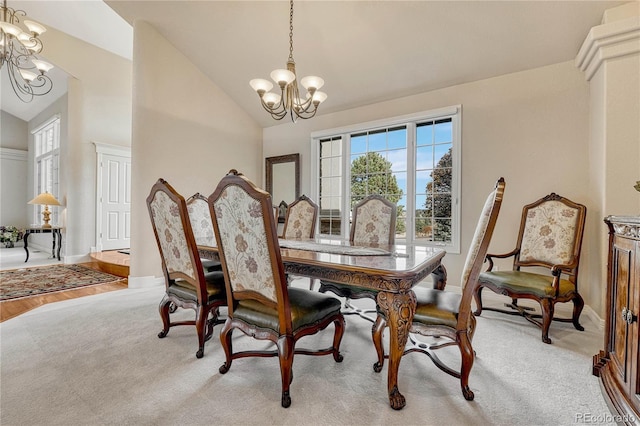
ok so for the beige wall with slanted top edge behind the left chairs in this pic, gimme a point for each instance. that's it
(185, 130)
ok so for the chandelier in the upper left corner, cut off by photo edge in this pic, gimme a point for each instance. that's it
(18, 49)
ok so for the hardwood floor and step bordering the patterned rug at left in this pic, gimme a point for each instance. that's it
(110, 262)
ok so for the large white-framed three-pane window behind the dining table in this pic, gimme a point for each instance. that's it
(413, 161)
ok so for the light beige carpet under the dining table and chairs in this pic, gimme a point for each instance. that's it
(97, 360)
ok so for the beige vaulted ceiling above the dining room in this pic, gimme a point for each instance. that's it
(366, 51)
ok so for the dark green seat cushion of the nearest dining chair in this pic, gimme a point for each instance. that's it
(307, 307)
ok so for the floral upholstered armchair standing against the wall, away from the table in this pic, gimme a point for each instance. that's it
(550, 237)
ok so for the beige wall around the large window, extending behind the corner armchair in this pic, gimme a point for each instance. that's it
(530, 127)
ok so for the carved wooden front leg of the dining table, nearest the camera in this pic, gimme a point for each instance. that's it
(399, 309)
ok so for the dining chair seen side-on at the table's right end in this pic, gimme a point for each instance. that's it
(446, 315)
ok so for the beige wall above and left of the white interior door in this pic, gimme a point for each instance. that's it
(98, 109)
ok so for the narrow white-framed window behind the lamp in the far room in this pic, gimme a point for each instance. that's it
(46, 161)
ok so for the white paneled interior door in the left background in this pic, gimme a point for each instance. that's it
(114, 201)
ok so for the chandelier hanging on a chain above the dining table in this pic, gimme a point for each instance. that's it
(289, 101)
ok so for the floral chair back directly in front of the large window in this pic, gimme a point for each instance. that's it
(374, 222)
